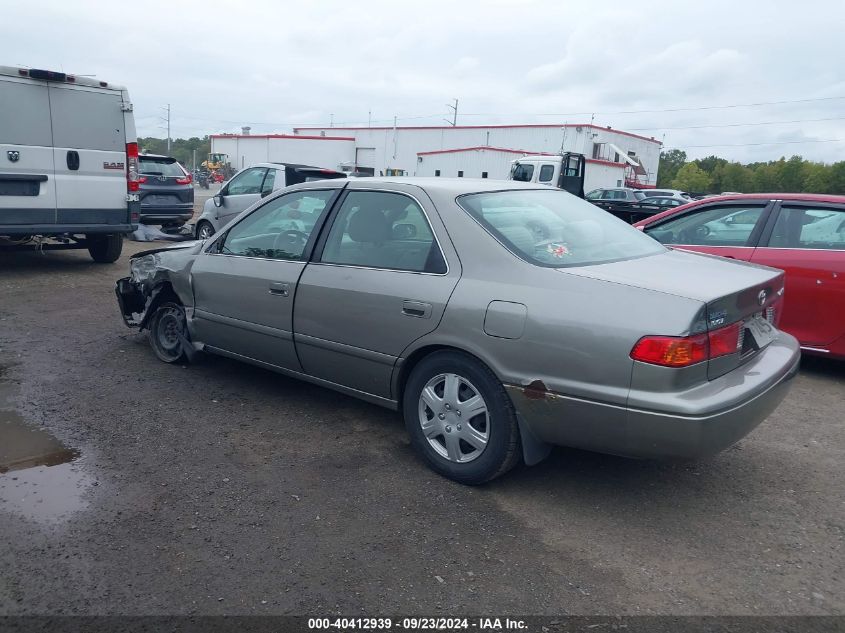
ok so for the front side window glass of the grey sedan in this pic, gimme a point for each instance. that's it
(279, 229)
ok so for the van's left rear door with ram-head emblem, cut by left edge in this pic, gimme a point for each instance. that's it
(27, 177)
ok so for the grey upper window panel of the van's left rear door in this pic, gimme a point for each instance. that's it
(24, 114)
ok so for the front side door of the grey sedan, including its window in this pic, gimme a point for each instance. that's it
(244, 285)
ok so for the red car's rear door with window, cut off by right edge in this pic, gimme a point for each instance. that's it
(807, 241)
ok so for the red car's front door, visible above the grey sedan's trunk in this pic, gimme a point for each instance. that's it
(727, 229)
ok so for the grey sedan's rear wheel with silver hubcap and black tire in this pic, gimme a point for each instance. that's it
(446, 428)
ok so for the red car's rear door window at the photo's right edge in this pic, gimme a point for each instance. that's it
(798, 227)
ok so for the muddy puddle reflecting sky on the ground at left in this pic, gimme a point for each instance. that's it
(39, 477)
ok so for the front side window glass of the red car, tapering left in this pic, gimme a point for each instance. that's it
(713, 226)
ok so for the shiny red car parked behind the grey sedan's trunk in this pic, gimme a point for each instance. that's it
(802, 234)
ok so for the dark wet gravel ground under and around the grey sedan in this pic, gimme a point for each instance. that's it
(222, 488)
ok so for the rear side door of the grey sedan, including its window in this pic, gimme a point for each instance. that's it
(378, 282)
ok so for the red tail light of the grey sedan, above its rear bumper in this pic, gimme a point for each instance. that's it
(683, 351)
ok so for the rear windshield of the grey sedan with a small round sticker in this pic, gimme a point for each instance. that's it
(556, 229)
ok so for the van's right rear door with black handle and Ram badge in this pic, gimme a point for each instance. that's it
(89, 139)
